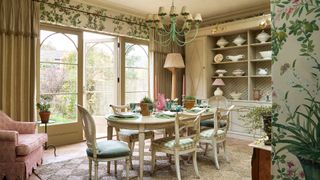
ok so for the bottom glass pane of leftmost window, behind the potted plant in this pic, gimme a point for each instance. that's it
(63, 109)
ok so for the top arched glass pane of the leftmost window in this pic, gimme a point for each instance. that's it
(59, 48)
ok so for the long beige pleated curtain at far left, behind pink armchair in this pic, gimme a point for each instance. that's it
(19, 27)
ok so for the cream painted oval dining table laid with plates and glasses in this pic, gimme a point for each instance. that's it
(142, 124)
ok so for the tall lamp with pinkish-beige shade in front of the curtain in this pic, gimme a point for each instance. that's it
(174, 61)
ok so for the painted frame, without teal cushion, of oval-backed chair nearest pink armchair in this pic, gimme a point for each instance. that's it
(90, 134)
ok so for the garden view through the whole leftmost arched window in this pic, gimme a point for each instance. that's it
(58, 74)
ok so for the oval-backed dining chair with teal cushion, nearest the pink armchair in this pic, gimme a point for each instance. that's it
(103, 151)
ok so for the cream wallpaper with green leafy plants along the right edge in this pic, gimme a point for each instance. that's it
(296, 89)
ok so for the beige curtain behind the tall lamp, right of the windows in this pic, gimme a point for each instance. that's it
(162, 76)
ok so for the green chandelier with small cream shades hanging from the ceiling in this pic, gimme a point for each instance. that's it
(171, 32)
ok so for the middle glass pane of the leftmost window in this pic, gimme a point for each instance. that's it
(58, 78)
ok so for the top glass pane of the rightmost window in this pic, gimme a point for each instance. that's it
(136, 55)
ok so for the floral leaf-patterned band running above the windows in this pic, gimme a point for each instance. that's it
(70, 13)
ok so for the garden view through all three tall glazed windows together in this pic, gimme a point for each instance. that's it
(60, 76)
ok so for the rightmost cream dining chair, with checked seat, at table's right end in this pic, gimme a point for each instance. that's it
(217, 135)
